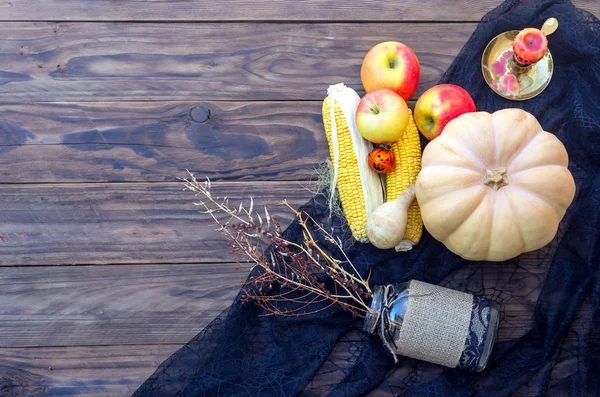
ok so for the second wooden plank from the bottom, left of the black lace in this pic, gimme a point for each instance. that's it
(105, 305)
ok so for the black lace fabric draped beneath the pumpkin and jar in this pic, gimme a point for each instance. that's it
(549, 336)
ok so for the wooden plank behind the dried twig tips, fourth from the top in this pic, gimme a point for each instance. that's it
(123, 223)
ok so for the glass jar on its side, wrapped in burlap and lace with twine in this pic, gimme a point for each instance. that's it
(433, 323)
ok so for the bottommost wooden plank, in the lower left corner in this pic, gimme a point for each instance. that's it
(79, 371)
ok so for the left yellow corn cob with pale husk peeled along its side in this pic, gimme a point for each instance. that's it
(359, 188)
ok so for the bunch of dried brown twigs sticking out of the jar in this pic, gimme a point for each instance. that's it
(294, 278)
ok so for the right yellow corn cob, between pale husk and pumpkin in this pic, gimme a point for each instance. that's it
(407, 151)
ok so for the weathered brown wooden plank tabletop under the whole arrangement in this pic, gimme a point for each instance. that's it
(106, 268)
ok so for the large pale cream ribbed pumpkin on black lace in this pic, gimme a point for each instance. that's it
(494, 185)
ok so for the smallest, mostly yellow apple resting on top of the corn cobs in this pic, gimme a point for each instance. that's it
(382, 116)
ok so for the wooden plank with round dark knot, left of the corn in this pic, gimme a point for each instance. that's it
(158, 141)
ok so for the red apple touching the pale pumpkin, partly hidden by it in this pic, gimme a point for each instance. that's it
(440, 104)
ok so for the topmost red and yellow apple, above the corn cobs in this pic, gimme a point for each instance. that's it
(391, 65)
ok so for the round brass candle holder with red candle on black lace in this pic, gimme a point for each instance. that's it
(517, 65)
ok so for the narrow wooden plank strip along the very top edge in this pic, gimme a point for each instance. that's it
(203, 10)
